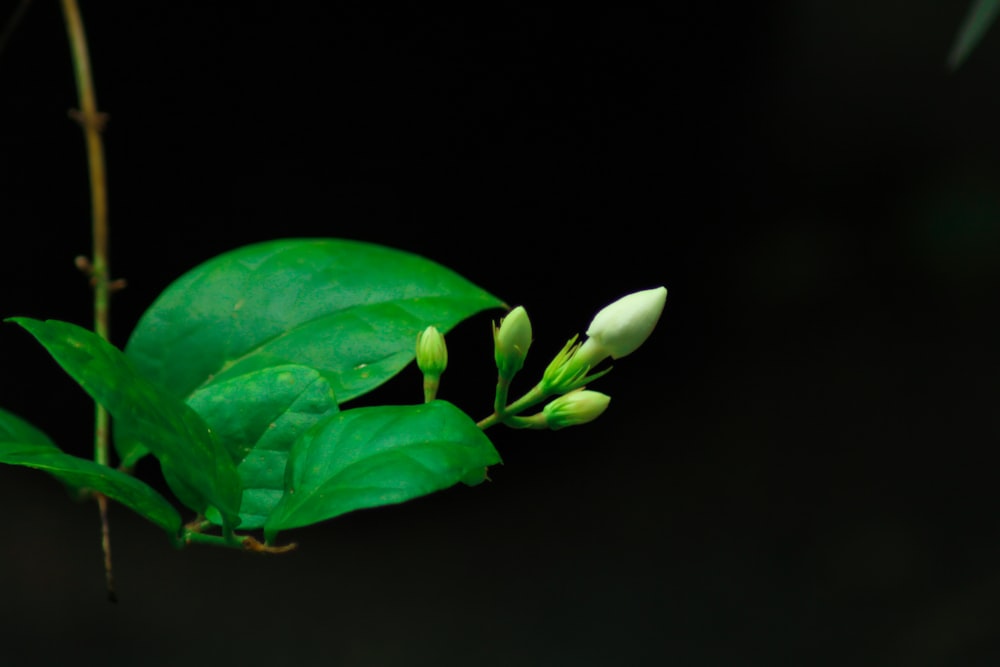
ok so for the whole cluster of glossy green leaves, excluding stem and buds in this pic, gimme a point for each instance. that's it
(234, 380)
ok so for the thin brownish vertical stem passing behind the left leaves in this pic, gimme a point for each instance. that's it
(92, 123)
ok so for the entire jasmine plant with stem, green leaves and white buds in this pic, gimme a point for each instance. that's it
(235, 380)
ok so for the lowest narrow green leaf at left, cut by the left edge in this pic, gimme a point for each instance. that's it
(84, 474)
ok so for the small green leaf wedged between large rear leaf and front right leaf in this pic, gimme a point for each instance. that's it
(257, 417)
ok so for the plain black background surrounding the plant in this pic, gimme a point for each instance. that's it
(798, 468)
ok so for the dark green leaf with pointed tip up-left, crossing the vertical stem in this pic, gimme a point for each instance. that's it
(196, 465)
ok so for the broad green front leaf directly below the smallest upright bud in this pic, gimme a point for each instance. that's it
(368, 457)
